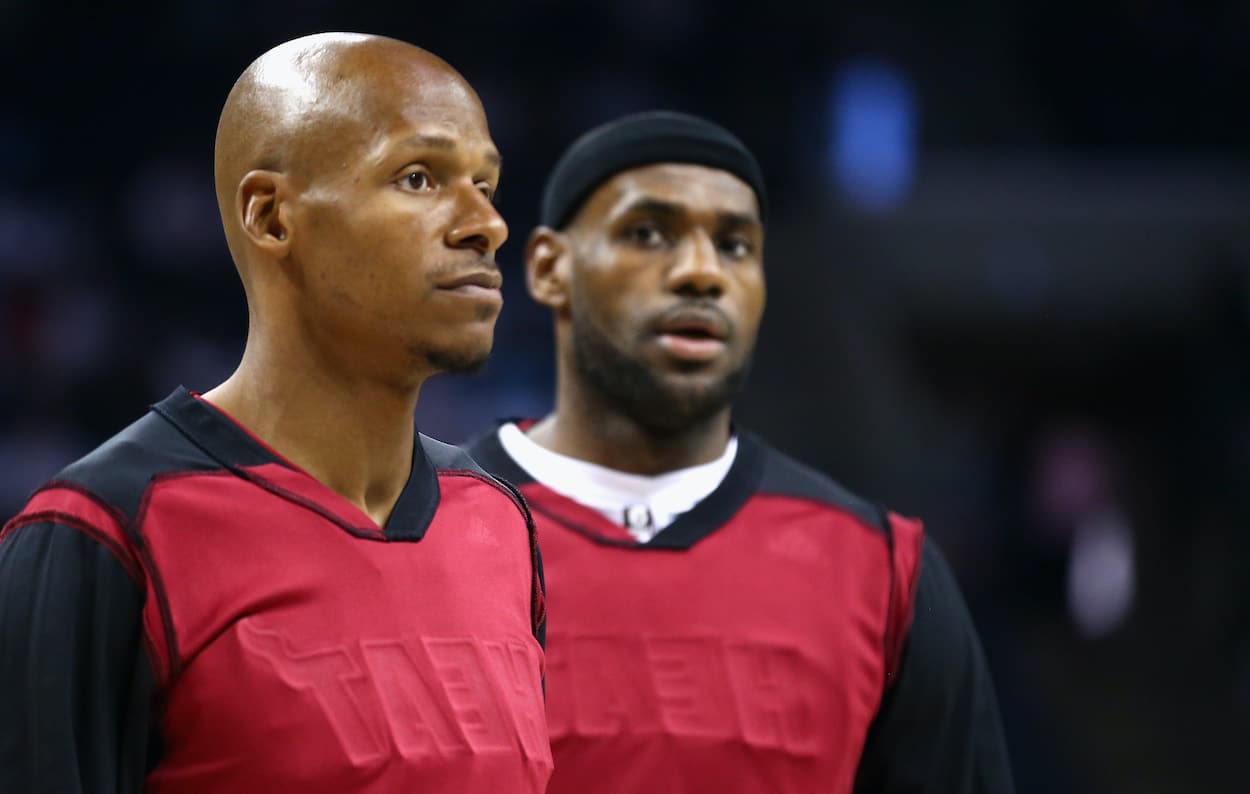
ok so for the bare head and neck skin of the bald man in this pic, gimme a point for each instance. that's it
(356, 177)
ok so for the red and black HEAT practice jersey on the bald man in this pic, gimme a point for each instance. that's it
(183, 611)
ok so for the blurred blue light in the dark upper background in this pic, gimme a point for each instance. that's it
(872, 148)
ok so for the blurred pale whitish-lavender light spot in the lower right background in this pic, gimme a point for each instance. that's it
(1102, 577)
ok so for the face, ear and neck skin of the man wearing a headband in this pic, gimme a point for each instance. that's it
(672, 248)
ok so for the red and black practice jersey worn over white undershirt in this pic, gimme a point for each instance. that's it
(768, 641)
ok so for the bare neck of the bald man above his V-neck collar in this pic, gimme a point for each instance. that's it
(352, 433)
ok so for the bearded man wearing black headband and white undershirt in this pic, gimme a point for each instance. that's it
(724, 618)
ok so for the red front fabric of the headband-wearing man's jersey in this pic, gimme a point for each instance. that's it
(752, 662)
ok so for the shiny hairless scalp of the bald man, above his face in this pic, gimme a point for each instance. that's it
(307, 106)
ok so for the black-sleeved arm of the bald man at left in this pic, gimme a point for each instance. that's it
(76, 682)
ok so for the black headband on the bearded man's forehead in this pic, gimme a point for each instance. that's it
(637, 141)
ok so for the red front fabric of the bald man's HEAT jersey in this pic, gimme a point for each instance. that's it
(298, 657)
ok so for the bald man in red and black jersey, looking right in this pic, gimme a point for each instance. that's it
(278, 586)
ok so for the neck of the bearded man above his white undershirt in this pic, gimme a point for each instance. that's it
(588, 428)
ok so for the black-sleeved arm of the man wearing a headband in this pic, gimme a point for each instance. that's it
(938, 730)
